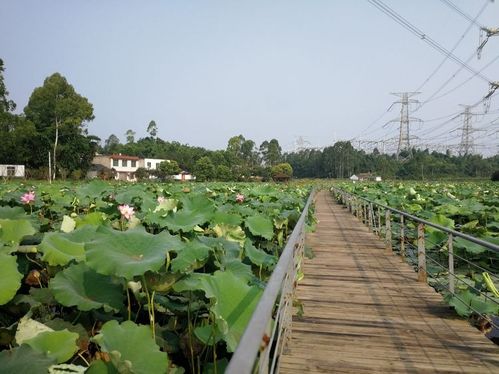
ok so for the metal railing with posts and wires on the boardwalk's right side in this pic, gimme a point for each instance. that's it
(402, 229)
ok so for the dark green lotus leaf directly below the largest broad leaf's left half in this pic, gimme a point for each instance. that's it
(81, 286)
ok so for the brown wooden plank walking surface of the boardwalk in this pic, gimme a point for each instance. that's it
(365, 312)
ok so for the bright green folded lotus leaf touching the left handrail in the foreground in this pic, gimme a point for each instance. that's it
(234, 304)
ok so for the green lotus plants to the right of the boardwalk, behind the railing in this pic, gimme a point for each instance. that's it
(471, 208)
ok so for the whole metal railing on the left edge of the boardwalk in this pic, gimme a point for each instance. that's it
(269, 328)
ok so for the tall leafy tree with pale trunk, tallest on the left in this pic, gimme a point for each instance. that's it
(57, 111)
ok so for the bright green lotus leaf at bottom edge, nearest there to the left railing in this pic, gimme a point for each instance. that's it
(132, 348)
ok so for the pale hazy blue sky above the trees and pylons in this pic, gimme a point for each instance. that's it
(322, 70)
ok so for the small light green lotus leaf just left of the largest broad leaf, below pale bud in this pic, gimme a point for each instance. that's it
(59, 249)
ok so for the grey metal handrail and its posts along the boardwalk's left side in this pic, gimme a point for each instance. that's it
(245, 356)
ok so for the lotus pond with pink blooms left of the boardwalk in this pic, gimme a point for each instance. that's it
(139, 278)
